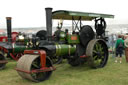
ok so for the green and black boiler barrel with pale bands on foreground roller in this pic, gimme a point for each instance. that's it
(58, 49)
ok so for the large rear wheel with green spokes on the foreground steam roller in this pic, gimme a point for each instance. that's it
(97, 52)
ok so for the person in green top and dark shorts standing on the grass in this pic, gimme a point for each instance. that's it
(119, 47)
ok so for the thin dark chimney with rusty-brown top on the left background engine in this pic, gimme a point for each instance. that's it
(9, 29)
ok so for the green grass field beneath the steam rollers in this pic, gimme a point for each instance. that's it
(112, 74)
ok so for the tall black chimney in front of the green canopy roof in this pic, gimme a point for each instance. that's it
(49, 22)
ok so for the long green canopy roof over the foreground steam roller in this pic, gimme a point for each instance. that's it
(67, 15)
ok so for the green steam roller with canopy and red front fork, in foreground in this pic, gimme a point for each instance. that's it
(80, 46)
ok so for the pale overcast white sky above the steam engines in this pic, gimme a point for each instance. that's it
(31, 13)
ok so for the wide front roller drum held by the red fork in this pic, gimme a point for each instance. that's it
(28, 63)
